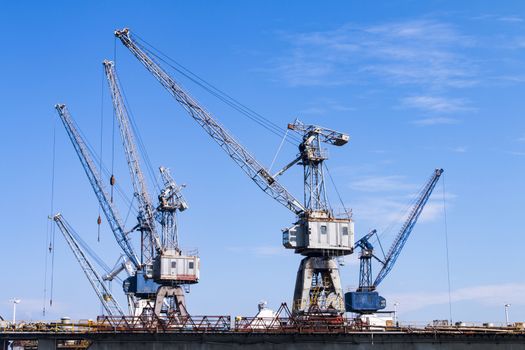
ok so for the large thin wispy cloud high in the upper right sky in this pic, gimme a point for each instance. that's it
(423, 52)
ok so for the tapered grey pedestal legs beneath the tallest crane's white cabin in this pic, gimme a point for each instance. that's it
(318, 287)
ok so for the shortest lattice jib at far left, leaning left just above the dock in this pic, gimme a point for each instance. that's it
(106, 298)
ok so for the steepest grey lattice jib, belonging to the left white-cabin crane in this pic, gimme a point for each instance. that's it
(150, 241)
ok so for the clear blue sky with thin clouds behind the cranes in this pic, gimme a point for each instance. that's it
(417, 85)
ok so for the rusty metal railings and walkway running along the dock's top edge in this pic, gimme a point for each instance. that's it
(283, 321)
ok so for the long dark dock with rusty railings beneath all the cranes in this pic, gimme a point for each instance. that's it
(221, 332)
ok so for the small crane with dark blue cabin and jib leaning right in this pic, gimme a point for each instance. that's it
(366, 299)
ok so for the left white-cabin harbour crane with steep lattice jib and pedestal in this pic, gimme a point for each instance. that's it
(162, 258)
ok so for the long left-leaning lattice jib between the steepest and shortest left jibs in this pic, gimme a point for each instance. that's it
(110, 211)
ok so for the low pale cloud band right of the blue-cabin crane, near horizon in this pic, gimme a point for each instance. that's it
(490, 295)
